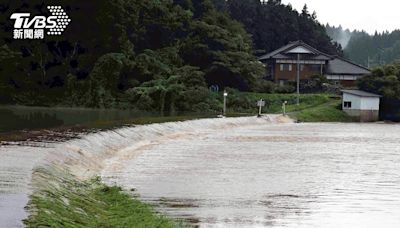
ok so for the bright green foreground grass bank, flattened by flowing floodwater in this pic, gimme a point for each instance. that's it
(63, 201)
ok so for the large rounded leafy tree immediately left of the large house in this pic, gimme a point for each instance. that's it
(223, 50)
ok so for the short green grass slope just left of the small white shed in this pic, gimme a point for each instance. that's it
(328, 112)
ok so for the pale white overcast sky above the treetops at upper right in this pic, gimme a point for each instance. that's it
(368, 15)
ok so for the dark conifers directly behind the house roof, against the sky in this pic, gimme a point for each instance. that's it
(273, 25)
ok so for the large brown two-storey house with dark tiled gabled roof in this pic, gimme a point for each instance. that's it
(282, 65)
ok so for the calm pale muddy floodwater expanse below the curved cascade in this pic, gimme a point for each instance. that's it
(271, 175)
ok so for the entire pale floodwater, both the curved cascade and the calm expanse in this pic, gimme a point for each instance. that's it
(243, 172)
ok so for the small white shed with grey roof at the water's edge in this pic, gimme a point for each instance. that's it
(361, 104)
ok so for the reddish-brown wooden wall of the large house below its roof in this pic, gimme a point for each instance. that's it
(292, 75)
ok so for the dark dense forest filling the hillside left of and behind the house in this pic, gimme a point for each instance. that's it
(155, 55)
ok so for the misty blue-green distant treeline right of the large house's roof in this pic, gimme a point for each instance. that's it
(365, 49)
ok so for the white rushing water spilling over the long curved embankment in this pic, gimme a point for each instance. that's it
(89, 156)
